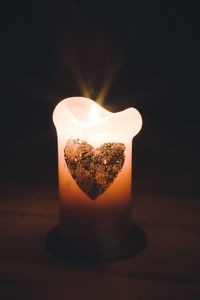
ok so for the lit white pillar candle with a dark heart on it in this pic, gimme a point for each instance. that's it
(95, 175)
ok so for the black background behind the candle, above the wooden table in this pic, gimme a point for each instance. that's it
(149, 50)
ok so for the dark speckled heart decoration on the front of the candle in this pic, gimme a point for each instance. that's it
(94, 169)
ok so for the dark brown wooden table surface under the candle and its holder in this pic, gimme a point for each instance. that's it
(168, 268)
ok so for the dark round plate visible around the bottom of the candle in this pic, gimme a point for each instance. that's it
(134, 244)
